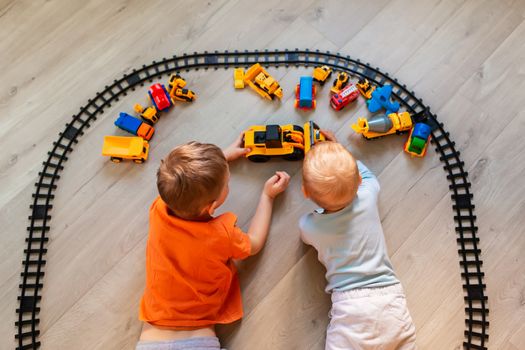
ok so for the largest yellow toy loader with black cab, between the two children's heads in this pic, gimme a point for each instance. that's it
(289, 142)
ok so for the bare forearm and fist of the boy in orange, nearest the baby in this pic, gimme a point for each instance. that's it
(260, 224)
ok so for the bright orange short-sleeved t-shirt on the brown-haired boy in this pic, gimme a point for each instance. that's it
(190, 276)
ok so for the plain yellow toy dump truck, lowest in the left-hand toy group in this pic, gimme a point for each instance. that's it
(122, 147)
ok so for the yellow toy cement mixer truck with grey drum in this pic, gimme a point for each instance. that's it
(382, 125)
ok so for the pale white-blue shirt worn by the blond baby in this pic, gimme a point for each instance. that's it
(350, 242)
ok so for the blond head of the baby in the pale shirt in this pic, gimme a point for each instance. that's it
(330, 176)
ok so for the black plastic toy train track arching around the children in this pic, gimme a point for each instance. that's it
(476, 323)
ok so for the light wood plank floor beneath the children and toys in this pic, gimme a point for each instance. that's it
(466, 59)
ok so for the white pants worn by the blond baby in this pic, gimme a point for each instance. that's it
(370, 318)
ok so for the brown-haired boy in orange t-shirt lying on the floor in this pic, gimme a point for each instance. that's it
(191, 280)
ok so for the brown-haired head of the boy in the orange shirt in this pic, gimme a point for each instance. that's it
(193, 180)
